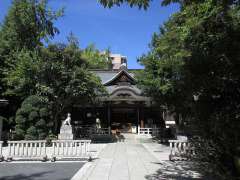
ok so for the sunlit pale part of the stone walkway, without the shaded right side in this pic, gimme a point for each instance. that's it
(123, 161)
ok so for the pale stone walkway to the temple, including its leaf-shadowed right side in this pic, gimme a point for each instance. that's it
(135, 160)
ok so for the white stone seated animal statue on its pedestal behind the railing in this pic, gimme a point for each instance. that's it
(66, 129)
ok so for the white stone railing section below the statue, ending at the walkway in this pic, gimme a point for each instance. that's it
(70, 149)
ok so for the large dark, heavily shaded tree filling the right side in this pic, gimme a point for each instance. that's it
(196, 54)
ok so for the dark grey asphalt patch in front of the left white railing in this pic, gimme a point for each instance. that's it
(38, 171)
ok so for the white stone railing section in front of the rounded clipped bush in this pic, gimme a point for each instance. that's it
(27, 150)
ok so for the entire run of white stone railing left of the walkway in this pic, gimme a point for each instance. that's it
(38, 150)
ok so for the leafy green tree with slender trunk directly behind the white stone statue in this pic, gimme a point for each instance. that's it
(66, 80)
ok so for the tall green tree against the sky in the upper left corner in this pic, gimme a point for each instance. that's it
(27, 24)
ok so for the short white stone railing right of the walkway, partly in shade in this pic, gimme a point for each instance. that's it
(180, 150)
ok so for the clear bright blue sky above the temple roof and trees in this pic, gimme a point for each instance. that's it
(124, 30)
